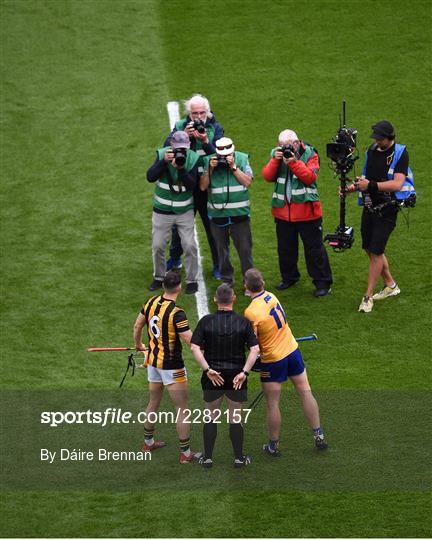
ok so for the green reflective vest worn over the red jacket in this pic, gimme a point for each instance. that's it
(300, 193)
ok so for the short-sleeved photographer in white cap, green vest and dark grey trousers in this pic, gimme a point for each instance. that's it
(227, 176)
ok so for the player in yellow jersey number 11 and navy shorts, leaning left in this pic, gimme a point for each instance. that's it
(280, 359)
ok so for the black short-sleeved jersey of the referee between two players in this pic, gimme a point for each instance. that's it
(224, 335)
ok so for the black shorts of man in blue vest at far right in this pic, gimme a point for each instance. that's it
(376, 231)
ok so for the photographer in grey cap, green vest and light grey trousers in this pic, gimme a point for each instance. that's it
(175, 172)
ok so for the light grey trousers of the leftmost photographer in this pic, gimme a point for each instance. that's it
(161, 234)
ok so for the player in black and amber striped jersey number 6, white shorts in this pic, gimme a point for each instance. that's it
(166, 324)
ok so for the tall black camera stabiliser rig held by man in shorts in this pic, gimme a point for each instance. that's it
(342, 153)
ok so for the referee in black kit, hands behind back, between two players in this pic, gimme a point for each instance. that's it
(223, 337)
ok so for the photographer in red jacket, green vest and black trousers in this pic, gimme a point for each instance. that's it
(293, 167)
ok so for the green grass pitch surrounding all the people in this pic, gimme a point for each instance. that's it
(83, 95)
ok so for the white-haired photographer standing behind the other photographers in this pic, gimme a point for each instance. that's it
(203, 130)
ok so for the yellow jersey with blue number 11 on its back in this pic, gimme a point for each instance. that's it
(269, 322)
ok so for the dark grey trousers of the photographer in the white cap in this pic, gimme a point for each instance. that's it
(242, 238)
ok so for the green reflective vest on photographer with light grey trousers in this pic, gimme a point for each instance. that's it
(170, 195)
